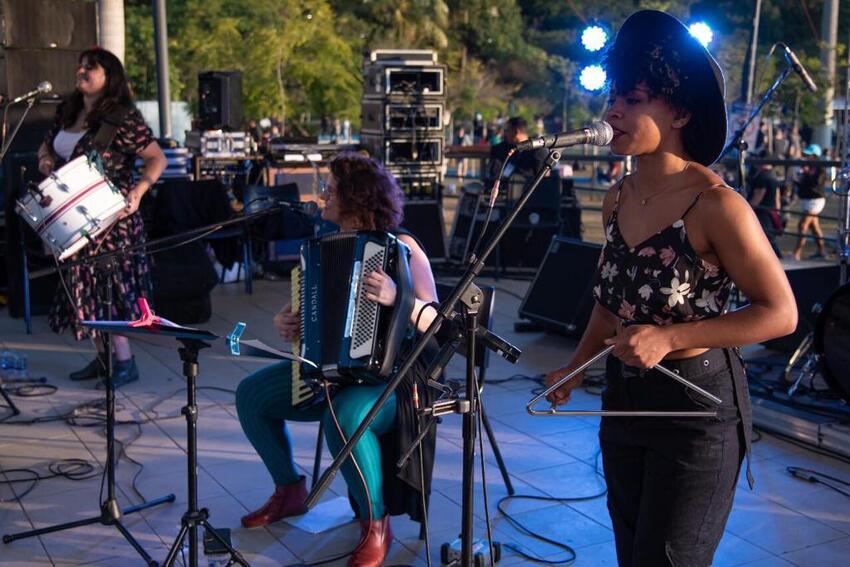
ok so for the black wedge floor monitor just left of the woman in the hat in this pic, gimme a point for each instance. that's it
(560, 299)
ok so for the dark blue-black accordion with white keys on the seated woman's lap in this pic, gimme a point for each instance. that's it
(349, 338)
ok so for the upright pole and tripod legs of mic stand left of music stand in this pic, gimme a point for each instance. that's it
(110, 513)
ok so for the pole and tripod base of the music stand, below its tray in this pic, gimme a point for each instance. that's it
(193, 516)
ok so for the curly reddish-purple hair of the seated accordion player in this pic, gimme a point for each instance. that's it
(367, 192)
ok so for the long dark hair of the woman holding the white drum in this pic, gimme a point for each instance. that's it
(116, 91)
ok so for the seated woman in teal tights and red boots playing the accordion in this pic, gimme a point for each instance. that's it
(360, 195)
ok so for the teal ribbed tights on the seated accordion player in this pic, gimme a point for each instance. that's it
(264, 405)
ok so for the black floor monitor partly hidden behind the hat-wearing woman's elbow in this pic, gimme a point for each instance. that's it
(810, 285)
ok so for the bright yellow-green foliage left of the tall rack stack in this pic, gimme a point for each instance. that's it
(294, 62)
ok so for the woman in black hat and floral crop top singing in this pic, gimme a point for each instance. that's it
(677, 239)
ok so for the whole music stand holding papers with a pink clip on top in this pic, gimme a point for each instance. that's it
(193, 340)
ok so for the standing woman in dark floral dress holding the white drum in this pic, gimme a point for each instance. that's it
(102, 94)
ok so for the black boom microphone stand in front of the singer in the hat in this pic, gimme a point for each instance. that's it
(471, 407)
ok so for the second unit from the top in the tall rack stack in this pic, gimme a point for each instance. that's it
(381, 117)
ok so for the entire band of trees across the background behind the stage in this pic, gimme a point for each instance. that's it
(302, 58)
